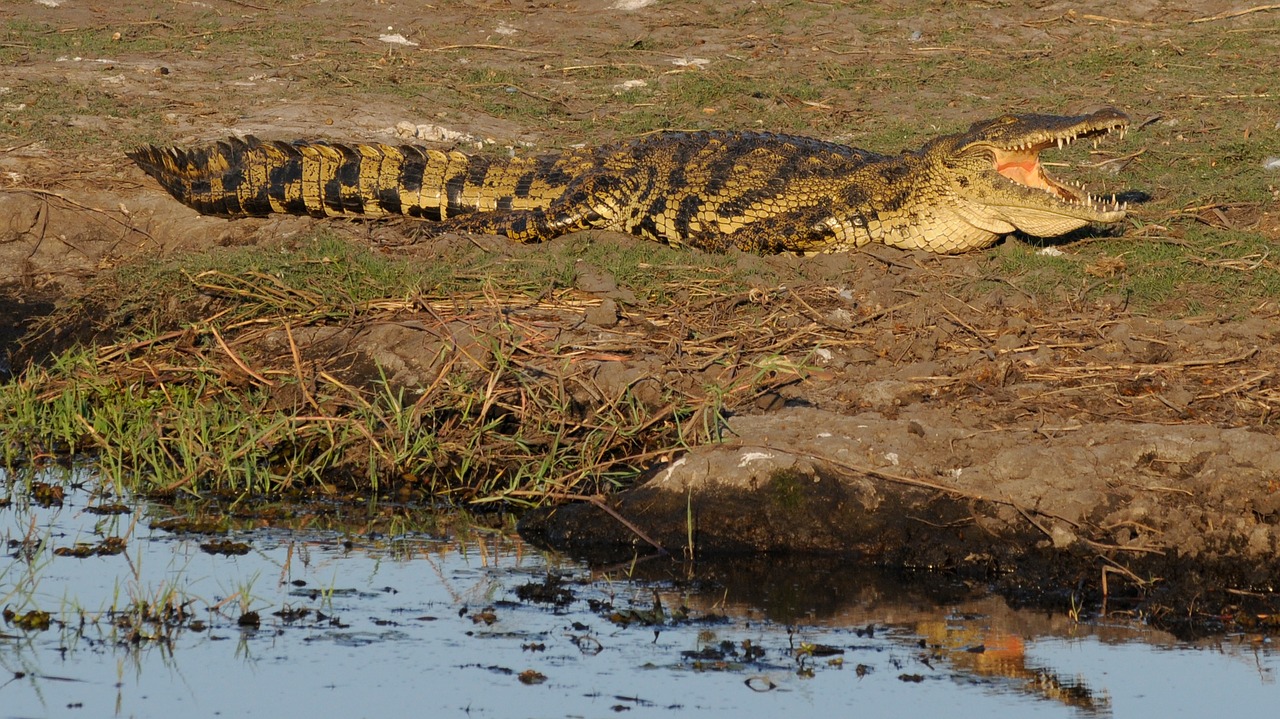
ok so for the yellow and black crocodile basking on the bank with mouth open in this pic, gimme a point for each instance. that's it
(717, 190)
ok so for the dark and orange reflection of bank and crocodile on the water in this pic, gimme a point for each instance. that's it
(948, 626)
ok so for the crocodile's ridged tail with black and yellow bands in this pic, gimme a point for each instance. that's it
(252, 177)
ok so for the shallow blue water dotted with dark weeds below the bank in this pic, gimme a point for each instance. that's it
(433, 622)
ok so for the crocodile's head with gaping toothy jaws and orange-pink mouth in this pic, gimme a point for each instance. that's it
(1000, 185)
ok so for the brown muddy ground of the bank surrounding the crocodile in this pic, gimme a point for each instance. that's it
(999, 422)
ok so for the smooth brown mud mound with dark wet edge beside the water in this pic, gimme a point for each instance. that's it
(935, 493)
